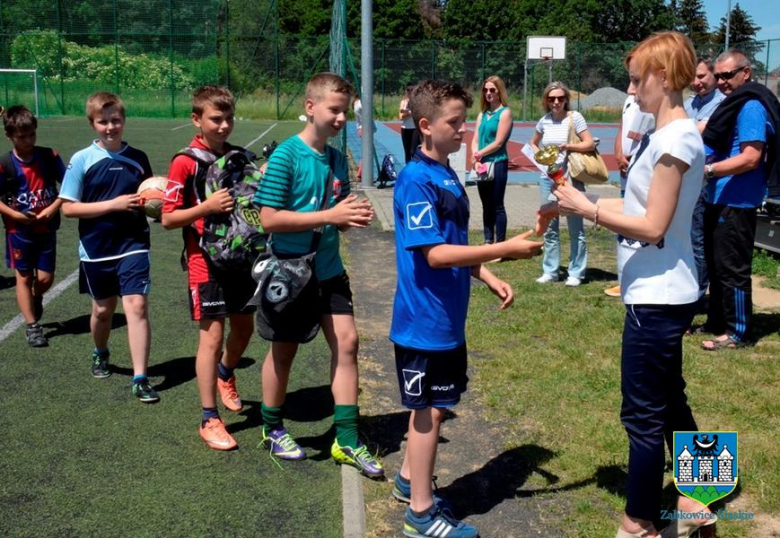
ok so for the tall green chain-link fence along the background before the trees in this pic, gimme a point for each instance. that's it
(155, 52)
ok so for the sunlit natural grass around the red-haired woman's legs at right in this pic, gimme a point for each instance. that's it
(550, 375)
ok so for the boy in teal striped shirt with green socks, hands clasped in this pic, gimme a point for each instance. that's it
(295, 183)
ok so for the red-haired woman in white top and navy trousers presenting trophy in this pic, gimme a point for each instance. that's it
(657, 275)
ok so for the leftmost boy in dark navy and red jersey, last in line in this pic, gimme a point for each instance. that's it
(31, 212)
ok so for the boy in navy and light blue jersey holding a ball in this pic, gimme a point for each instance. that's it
(100, 189)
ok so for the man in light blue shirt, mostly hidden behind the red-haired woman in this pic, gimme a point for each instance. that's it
(699, 108)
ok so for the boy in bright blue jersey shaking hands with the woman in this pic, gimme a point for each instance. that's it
(435, 264)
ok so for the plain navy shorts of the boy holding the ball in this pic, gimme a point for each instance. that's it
(123, 276)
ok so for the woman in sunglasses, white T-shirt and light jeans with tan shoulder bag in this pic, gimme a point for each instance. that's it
(553, 130)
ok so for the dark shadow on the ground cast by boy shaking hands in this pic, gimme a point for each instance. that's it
(501, 478)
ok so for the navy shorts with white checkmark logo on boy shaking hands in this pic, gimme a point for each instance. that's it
(431, 378)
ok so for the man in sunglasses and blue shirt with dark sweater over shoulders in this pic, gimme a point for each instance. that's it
(742, 144)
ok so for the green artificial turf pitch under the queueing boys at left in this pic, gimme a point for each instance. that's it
(81, 457)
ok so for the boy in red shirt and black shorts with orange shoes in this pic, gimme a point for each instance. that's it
(214, 295)
